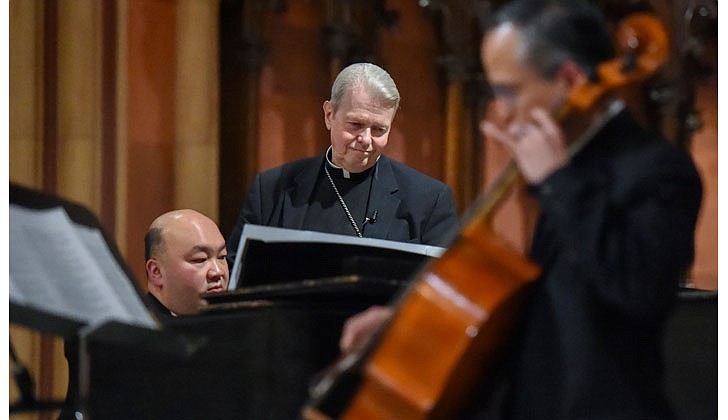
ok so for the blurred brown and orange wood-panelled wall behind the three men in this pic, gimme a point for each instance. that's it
(136, 107)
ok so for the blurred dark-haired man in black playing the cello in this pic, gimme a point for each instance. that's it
(618, 207)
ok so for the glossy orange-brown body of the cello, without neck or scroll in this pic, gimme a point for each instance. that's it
(449, 332)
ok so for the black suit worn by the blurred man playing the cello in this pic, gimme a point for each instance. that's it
(614, 237)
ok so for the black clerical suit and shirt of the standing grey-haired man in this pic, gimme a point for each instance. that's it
(406, 205)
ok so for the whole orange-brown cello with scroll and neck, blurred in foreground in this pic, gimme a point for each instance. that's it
(451, 325)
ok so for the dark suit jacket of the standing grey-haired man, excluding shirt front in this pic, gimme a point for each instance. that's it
(411, 206)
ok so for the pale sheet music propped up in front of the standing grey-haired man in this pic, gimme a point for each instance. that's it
(276, 234)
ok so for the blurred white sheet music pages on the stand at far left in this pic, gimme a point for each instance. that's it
(66, 269)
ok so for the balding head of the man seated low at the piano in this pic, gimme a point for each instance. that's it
(185, 257)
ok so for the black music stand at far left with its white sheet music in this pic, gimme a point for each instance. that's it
(60, 299)
